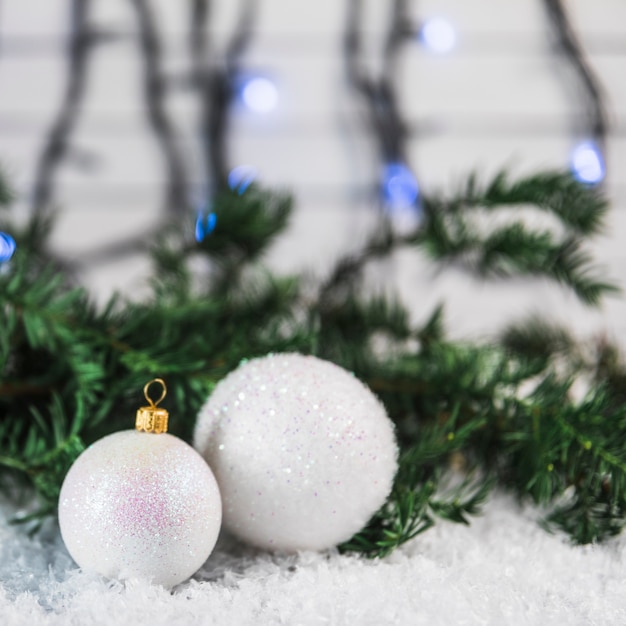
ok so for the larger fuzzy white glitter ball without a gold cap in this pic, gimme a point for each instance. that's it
(303, 452)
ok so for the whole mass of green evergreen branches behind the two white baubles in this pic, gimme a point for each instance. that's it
(70, 373)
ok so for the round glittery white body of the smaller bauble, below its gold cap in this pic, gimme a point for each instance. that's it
(140, 505)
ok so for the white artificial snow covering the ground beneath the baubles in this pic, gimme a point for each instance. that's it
(503, 569)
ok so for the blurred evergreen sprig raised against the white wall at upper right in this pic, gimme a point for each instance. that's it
(453, 232)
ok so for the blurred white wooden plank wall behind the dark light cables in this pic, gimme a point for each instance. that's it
(499, 99)
